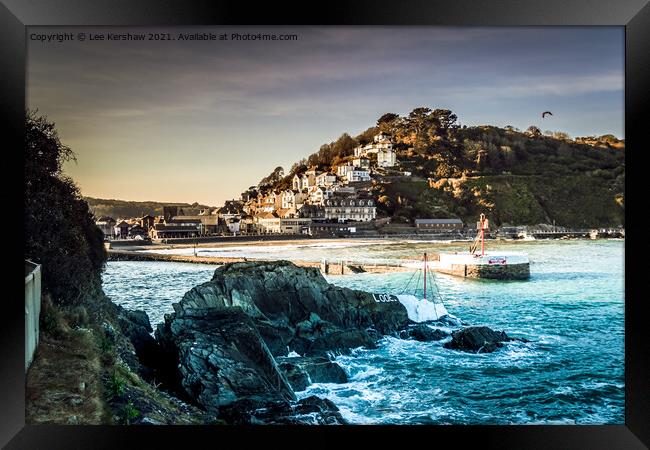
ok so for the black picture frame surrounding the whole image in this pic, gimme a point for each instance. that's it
(634, 15)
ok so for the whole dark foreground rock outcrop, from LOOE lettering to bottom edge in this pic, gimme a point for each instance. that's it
(221, 342)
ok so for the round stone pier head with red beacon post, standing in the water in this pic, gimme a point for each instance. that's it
(478, 263)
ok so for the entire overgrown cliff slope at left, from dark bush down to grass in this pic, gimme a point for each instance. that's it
(84, 370)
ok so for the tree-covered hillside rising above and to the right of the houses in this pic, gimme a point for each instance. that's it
(516, 177)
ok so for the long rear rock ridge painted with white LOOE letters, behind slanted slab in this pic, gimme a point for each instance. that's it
(295, 309)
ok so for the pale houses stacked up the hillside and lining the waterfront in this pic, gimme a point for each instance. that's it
(318, 203)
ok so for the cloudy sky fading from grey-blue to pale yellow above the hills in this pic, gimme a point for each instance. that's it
(186, 121)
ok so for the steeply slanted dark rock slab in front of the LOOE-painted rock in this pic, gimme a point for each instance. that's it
(221, 357)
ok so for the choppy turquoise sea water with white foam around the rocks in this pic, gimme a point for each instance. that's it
(571, 311)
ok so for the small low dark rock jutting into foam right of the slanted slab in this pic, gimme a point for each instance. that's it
(301, 372)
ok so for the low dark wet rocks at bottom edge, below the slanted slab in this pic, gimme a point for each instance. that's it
(309, 411)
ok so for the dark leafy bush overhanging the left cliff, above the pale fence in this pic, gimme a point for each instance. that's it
(60, 230)
